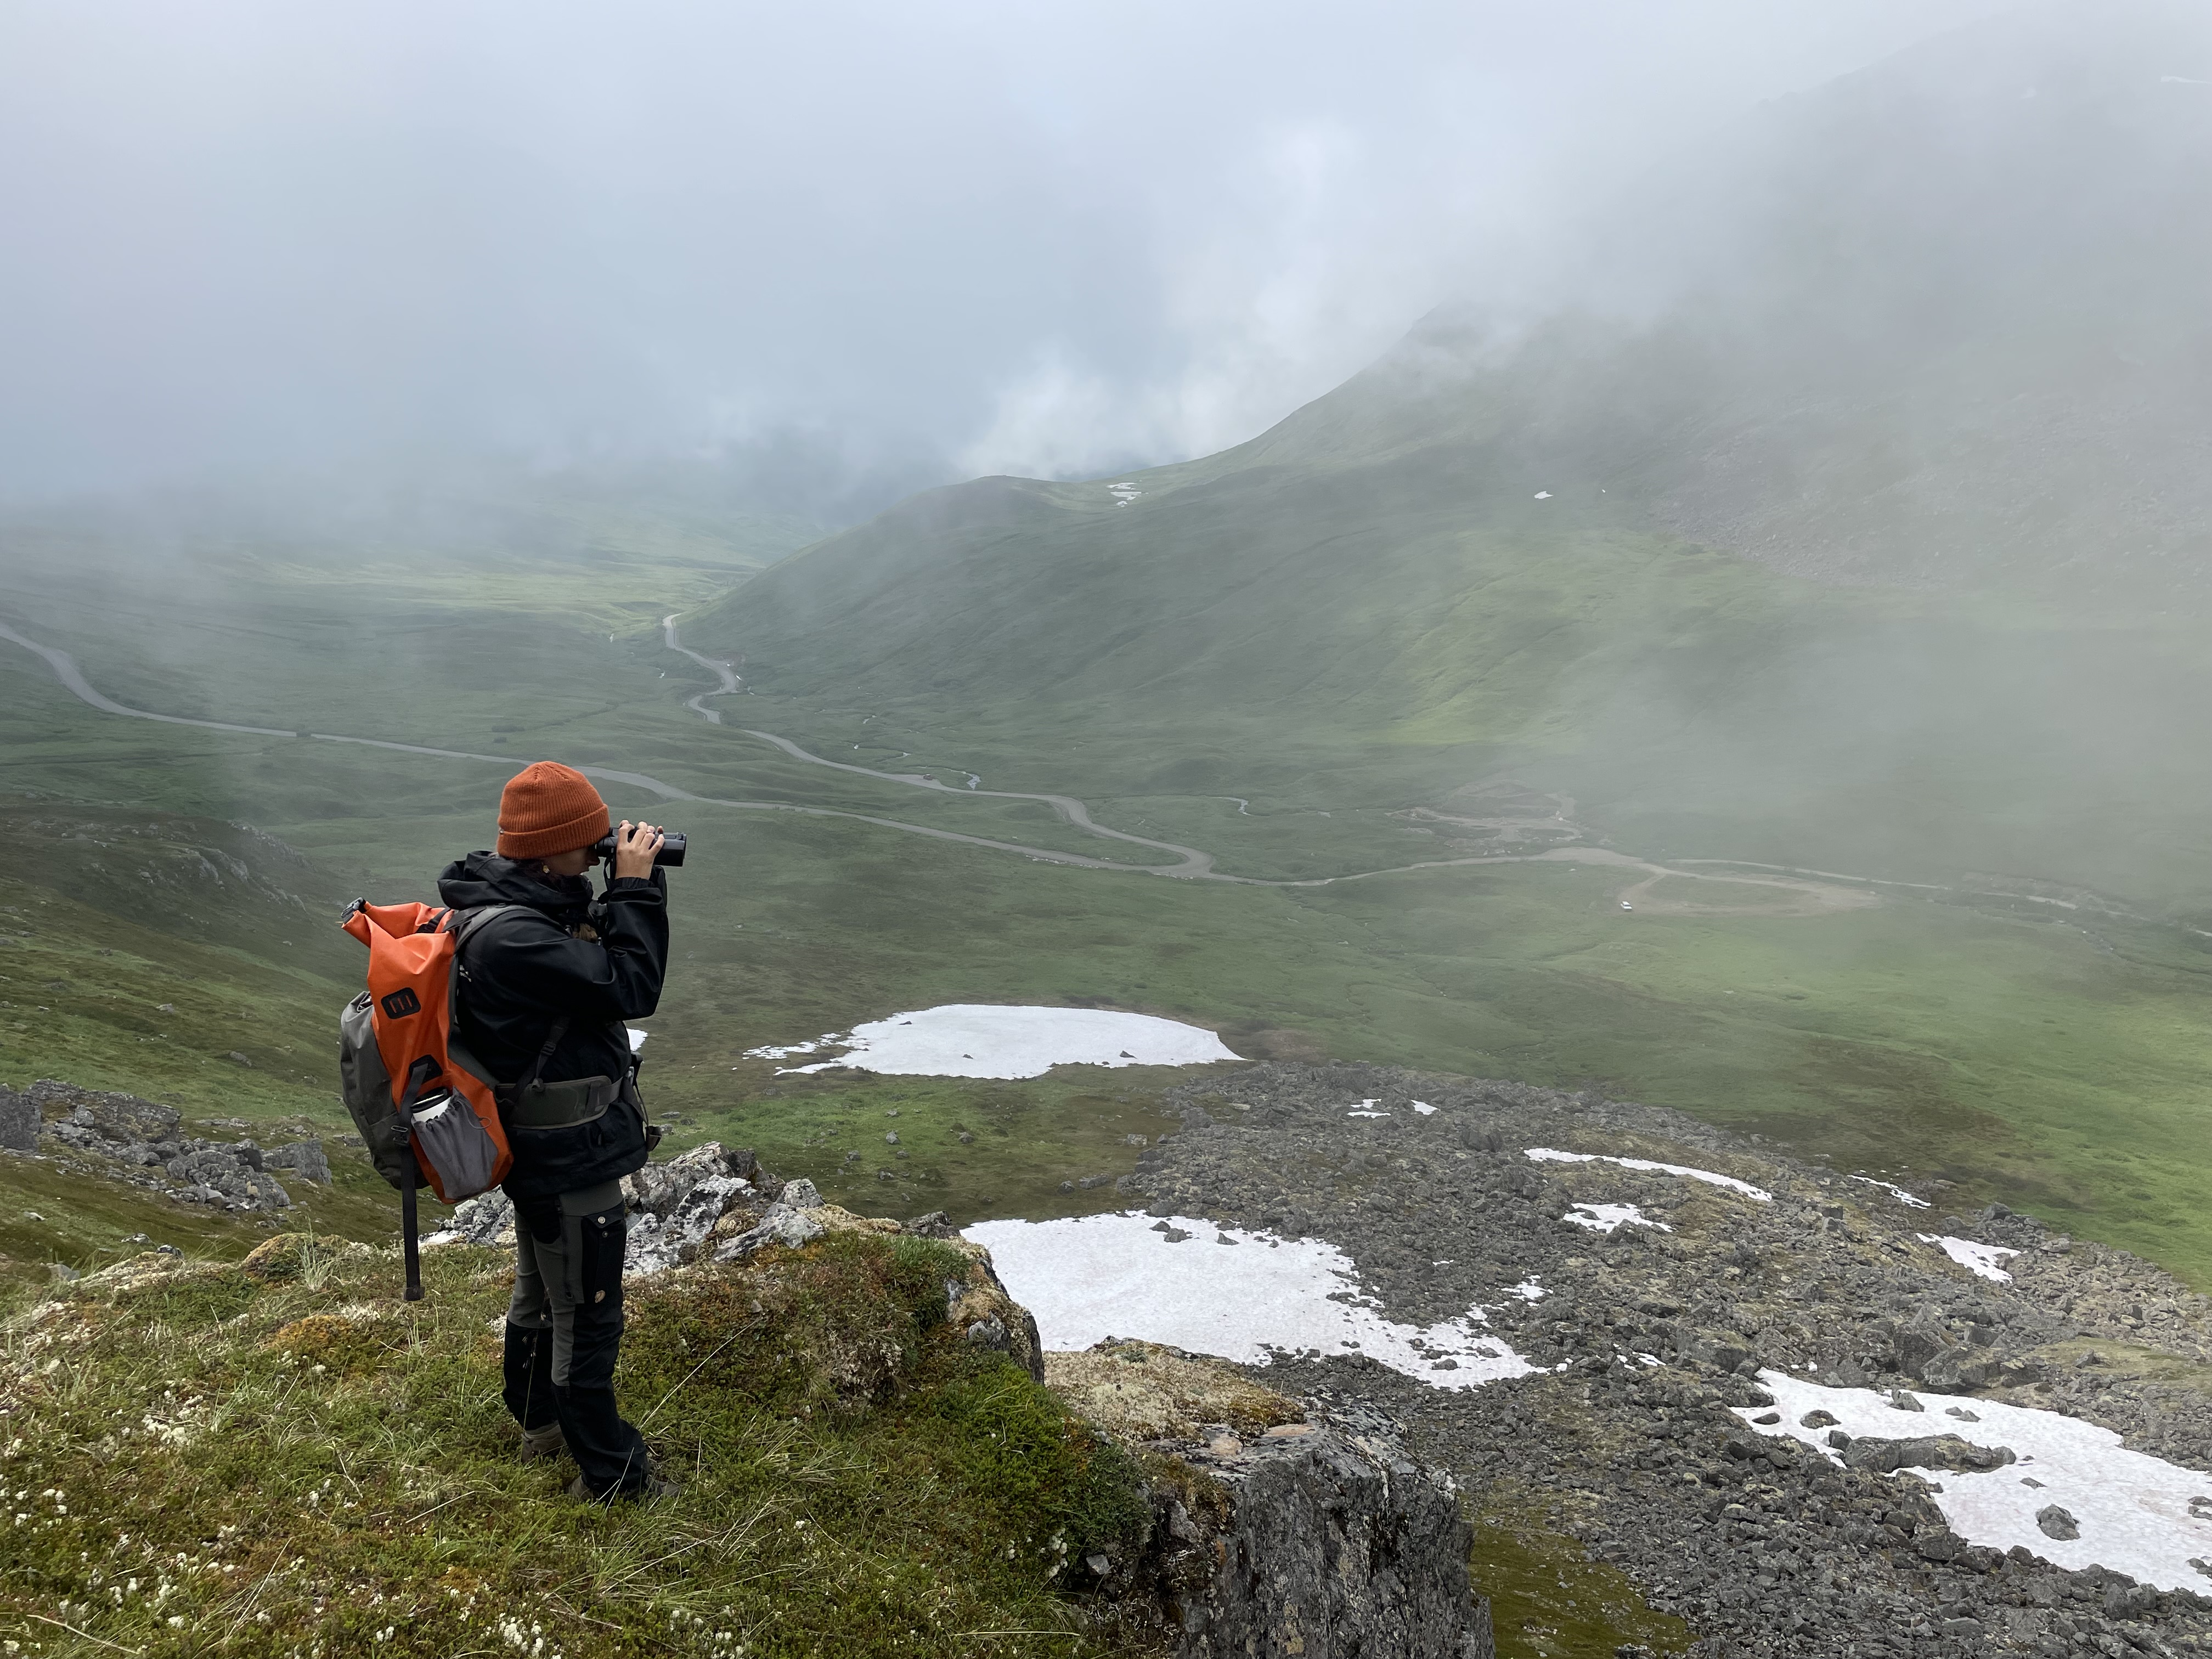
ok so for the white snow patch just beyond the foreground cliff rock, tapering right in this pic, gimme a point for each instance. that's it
(1242, 1295)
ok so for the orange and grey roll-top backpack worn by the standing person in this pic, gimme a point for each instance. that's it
(419, 1098)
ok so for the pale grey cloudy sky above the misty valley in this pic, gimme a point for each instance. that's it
(1030, 238)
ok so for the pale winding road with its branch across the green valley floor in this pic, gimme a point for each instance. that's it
(1196, 864)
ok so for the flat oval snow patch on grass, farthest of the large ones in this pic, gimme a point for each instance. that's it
(988, 1041)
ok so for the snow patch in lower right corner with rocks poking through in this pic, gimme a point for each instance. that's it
(2138, 1514)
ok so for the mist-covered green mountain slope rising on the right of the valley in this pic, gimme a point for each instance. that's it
(1866, 521)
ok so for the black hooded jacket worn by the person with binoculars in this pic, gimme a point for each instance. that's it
(567, 954)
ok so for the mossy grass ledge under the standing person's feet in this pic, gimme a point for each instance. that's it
(284, 1459)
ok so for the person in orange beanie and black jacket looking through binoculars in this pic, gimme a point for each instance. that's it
(545, 992)
